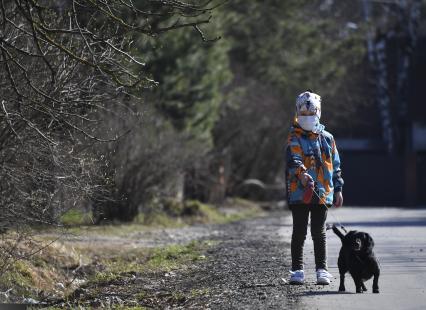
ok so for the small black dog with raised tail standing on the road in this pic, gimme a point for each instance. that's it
(357, 257)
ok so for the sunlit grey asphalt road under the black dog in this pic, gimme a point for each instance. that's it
(400, 245)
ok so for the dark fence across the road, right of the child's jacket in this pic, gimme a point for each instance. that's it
(373, 177)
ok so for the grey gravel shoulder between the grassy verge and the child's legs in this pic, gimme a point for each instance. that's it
(246, 268)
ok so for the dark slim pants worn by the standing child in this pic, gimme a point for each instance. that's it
(300, 227)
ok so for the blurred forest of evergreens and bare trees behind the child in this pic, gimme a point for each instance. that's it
(121, 108)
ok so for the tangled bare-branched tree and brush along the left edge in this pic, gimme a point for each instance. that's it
(65, 65)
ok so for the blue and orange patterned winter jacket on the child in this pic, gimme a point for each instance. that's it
(317, 154)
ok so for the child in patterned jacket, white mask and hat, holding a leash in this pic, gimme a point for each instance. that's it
(313, 167)
